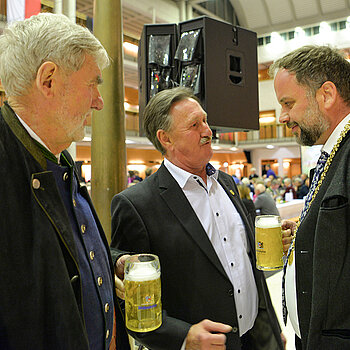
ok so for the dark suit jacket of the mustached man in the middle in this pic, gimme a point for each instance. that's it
(155, 217)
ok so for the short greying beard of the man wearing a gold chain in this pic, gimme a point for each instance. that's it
(313, 125)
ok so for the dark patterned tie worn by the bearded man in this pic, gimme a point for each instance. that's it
(318, 171)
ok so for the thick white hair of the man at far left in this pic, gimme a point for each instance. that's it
(26, 45)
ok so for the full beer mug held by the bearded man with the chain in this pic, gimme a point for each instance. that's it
(268, 242)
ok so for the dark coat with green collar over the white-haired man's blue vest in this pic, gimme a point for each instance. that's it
(40, 294)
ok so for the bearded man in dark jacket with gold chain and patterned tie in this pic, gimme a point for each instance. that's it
(312, 85)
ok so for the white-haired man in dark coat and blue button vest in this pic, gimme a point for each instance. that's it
(56, 270)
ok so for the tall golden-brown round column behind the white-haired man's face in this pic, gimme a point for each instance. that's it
(108, 152)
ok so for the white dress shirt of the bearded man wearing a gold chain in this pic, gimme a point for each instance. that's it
(290, 286)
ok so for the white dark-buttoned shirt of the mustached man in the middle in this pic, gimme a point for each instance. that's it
(226, 232)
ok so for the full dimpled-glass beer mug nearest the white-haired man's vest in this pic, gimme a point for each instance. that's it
(143, 307)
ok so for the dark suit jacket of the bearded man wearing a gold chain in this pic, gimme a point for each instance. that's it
(322, 250)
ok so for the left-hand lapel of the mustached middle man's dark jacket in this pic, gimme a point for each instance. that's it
(177, 202)
